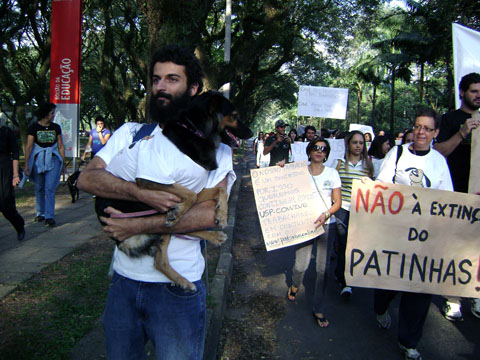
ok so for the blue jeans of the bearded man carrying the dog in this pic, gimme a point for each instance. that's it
(172, 318)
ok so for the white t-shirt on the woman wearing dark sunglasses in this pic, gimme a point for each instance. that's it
(325, 182)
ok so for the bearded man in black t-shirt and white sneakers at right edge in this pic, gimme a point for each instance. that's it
(455, 142)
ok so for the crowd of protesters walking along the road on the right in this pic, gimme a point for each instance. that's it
(438, 148)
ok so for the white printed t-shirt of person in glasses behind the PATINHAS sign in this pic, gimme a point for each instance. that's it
(430, 170)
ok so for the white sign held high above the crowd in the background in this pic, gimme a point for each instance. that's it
(322, 102)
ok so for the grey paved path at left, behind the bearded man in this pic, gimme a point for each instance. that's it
(19, 261)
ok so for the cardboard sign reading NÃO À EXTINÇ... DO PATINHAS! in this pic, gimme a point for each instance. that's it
(413, 239)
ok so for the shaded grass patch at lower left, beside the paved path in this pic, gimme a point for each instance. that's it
(47, 315)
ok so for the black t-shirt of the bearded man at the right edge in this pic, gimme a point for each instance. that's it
(459, 159)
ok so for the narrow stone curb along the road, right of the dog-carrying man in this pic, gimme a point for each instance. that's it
(223, 273)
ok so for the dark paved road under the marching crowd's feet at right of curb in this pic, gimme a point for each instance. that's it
(261, 323)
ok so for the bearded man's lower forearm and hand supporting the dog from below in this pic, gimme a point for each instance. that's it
(200, 216)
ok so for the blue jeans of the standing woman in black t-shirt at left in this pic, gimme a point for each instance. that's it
(45, 185)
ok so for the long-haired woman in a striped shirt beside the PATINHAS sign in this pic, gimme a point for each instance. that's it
(355, 166)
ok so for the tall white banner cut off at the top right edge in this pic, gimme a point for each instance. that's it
(466, 54)
